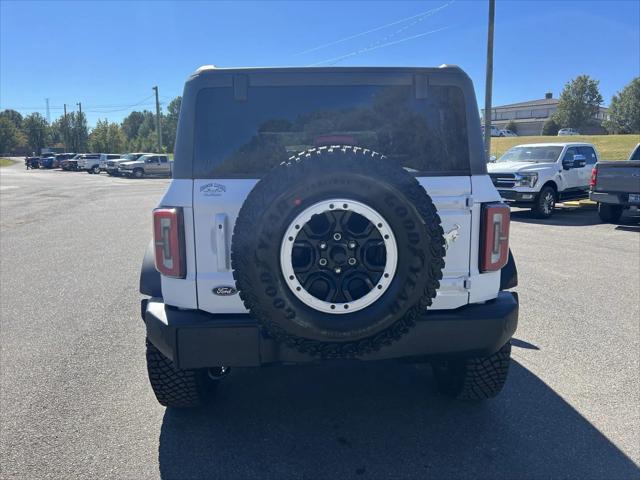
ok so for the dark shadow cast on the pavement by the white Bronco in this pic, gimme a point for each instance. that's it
(382, 420)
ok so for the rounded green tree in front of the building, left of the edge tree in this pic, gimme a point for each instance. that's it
(579, 102)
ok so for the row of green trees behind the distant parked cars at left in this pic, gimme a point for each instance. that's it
(137, 132)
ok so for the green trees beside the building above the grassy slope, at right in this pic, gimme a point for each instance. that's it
(580, 101)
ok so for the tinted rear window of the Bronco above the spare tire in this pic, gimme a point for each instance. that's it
(246, 138)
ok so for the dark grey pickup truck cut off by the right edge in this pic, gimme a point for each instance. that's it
(615, 186)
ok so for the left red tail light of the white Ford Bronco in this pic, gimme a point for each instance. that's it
(168, 238)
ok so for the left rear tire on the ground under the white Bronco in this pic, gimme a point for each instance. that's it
(174, 387)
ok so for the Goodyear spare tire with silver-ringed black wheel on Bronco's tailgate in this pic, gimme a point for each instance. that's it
(336, 252)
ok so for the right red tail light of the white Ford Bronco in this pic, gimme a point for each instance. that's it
(494, 249)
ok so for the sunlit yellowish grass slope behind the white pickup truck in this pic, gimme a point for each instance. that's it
(610, 147)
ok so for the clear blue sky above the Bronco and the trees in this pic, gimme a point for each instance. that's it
(109, 54)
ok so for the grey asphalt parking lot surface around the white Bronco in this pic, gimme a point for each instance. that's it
(75, 401)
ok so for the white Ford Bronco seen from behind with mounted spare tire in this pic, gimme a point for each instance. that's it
(328, 213)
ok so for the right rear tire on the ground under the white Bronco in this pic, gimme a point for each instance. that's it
(476, 378)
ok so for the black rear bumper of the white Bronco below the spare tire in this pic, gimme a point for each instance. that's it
(196, 339)
